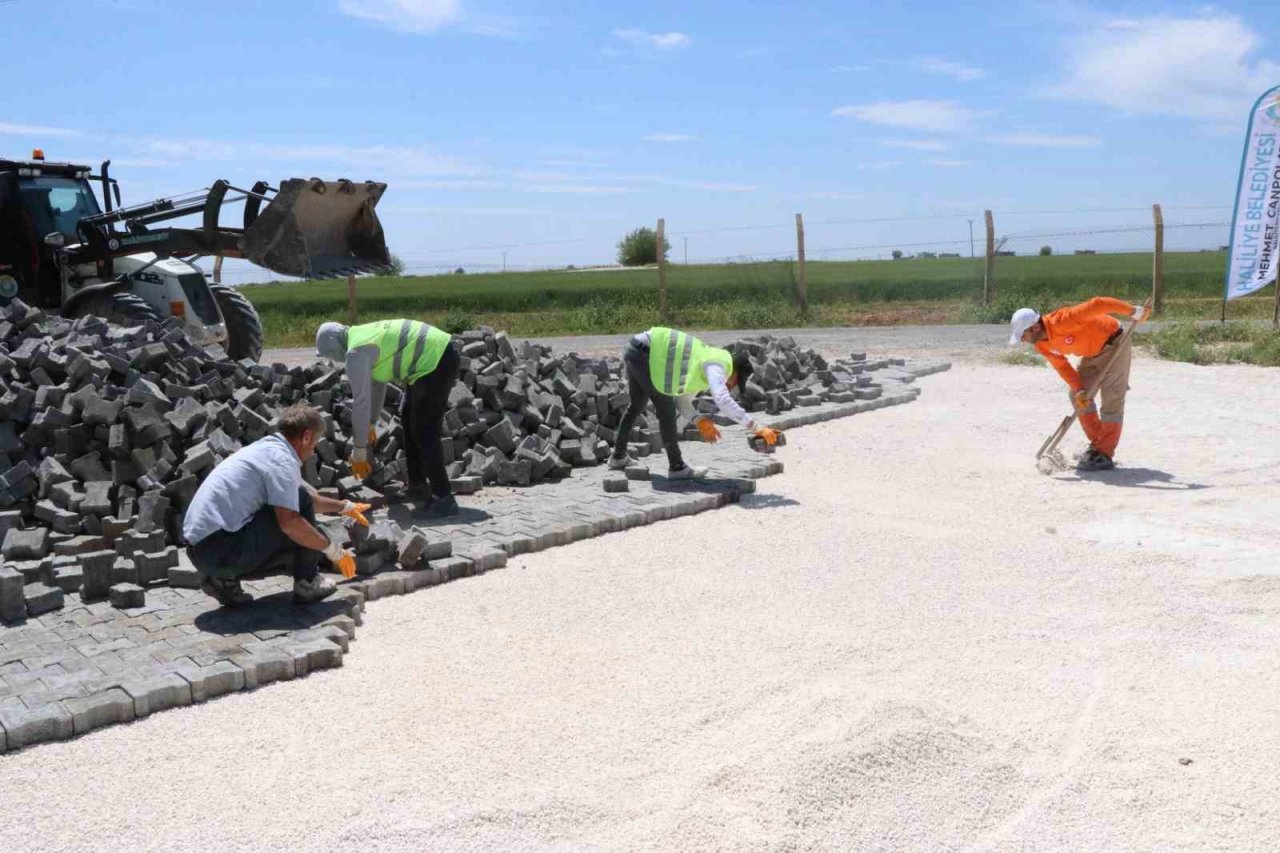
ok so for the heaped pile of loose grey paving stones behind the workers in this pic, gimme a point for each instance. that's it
(107, 432)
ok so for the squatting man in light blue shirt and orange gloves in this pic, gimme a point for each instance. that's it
(255, 509)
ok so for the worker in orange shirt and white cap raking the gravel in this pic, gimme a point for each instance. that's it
(1087, 331)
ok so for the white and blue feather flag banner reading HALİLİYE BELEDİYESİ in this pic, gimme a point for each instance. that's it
(1251, 261)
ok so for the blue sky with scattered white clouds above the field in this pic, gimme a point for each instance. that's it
(548, 130)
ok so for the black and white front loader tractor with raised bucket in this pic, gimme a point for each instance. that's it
(63, 252)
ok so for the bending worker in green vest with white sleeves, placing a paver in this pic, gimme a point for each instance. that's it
(669, 368)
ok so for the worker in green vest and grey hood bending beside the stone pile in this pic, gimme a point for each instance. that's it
(426, 361)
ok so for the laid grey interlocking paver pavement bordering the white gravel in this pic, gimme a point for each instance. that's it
(88, 667)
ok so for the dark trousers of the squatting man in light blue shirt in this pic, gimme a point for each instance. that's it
(258, 545)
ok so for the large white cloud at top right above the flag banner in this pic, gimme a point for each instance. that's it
(1204, 67)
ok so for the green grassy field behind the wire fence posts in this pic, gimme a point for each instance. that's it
(761, 295)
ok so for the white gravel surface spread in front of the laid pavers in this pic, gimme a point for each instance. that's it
(911, 641)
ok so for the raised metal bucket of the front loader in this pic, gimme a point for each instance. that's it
(319, 230)
